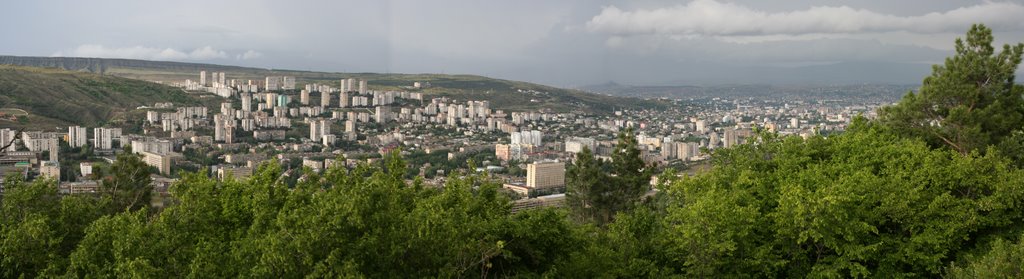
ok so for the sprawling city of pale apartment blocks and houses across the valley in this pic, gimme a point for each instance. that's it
(319, 126)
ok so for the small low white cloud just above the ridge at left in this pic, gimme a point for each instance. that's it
(144, 53)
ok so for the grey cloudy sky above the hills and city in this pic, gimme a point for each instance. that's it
(565, 44)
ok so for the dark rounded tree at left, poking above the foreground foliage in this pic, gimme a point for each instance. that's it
(127, 183)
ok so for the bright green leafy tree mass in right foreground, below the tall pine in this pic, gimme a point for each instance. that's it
(862, 205)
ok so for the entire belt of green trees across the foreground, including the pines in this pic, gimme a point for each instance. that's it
(933, 188)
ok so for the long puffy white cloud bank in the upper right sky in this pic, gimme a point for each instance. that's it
(711, 18)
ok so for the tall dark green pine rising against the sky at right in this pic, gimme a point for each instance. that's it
(967, 104)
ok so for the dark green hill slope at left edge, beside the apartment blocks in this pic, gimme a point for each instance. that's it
(55, 98)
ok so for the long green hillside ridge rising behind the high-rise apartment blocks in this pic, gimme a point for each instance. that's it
(504, 95)
